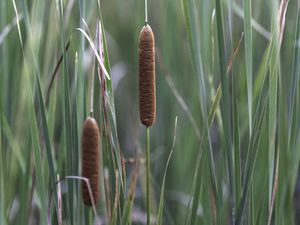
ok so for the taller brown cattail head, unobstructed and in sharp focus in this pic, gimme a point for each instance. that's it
(147, 92)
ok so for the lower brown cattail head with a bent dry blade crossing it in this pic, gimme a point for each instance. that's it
(90, 160)
